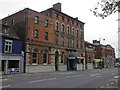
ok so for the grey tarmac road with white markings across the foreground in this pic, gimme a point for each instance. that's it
(96, 78)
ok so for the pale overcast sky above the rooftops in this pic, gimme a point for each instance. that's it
(95, 28)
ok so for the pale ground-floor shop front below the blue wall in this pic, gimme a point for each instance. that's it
(11, 64)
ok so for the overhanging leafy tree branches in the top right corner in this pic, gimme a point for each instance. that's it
(105, 8)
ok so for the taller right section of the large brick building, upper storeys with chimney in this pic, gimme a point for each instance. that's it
(68, 33)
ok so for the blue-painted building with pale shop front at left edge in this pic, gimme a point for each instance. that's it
(11, 60)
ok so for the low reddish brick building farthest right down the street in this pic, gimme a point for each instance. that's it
(105, 52)
